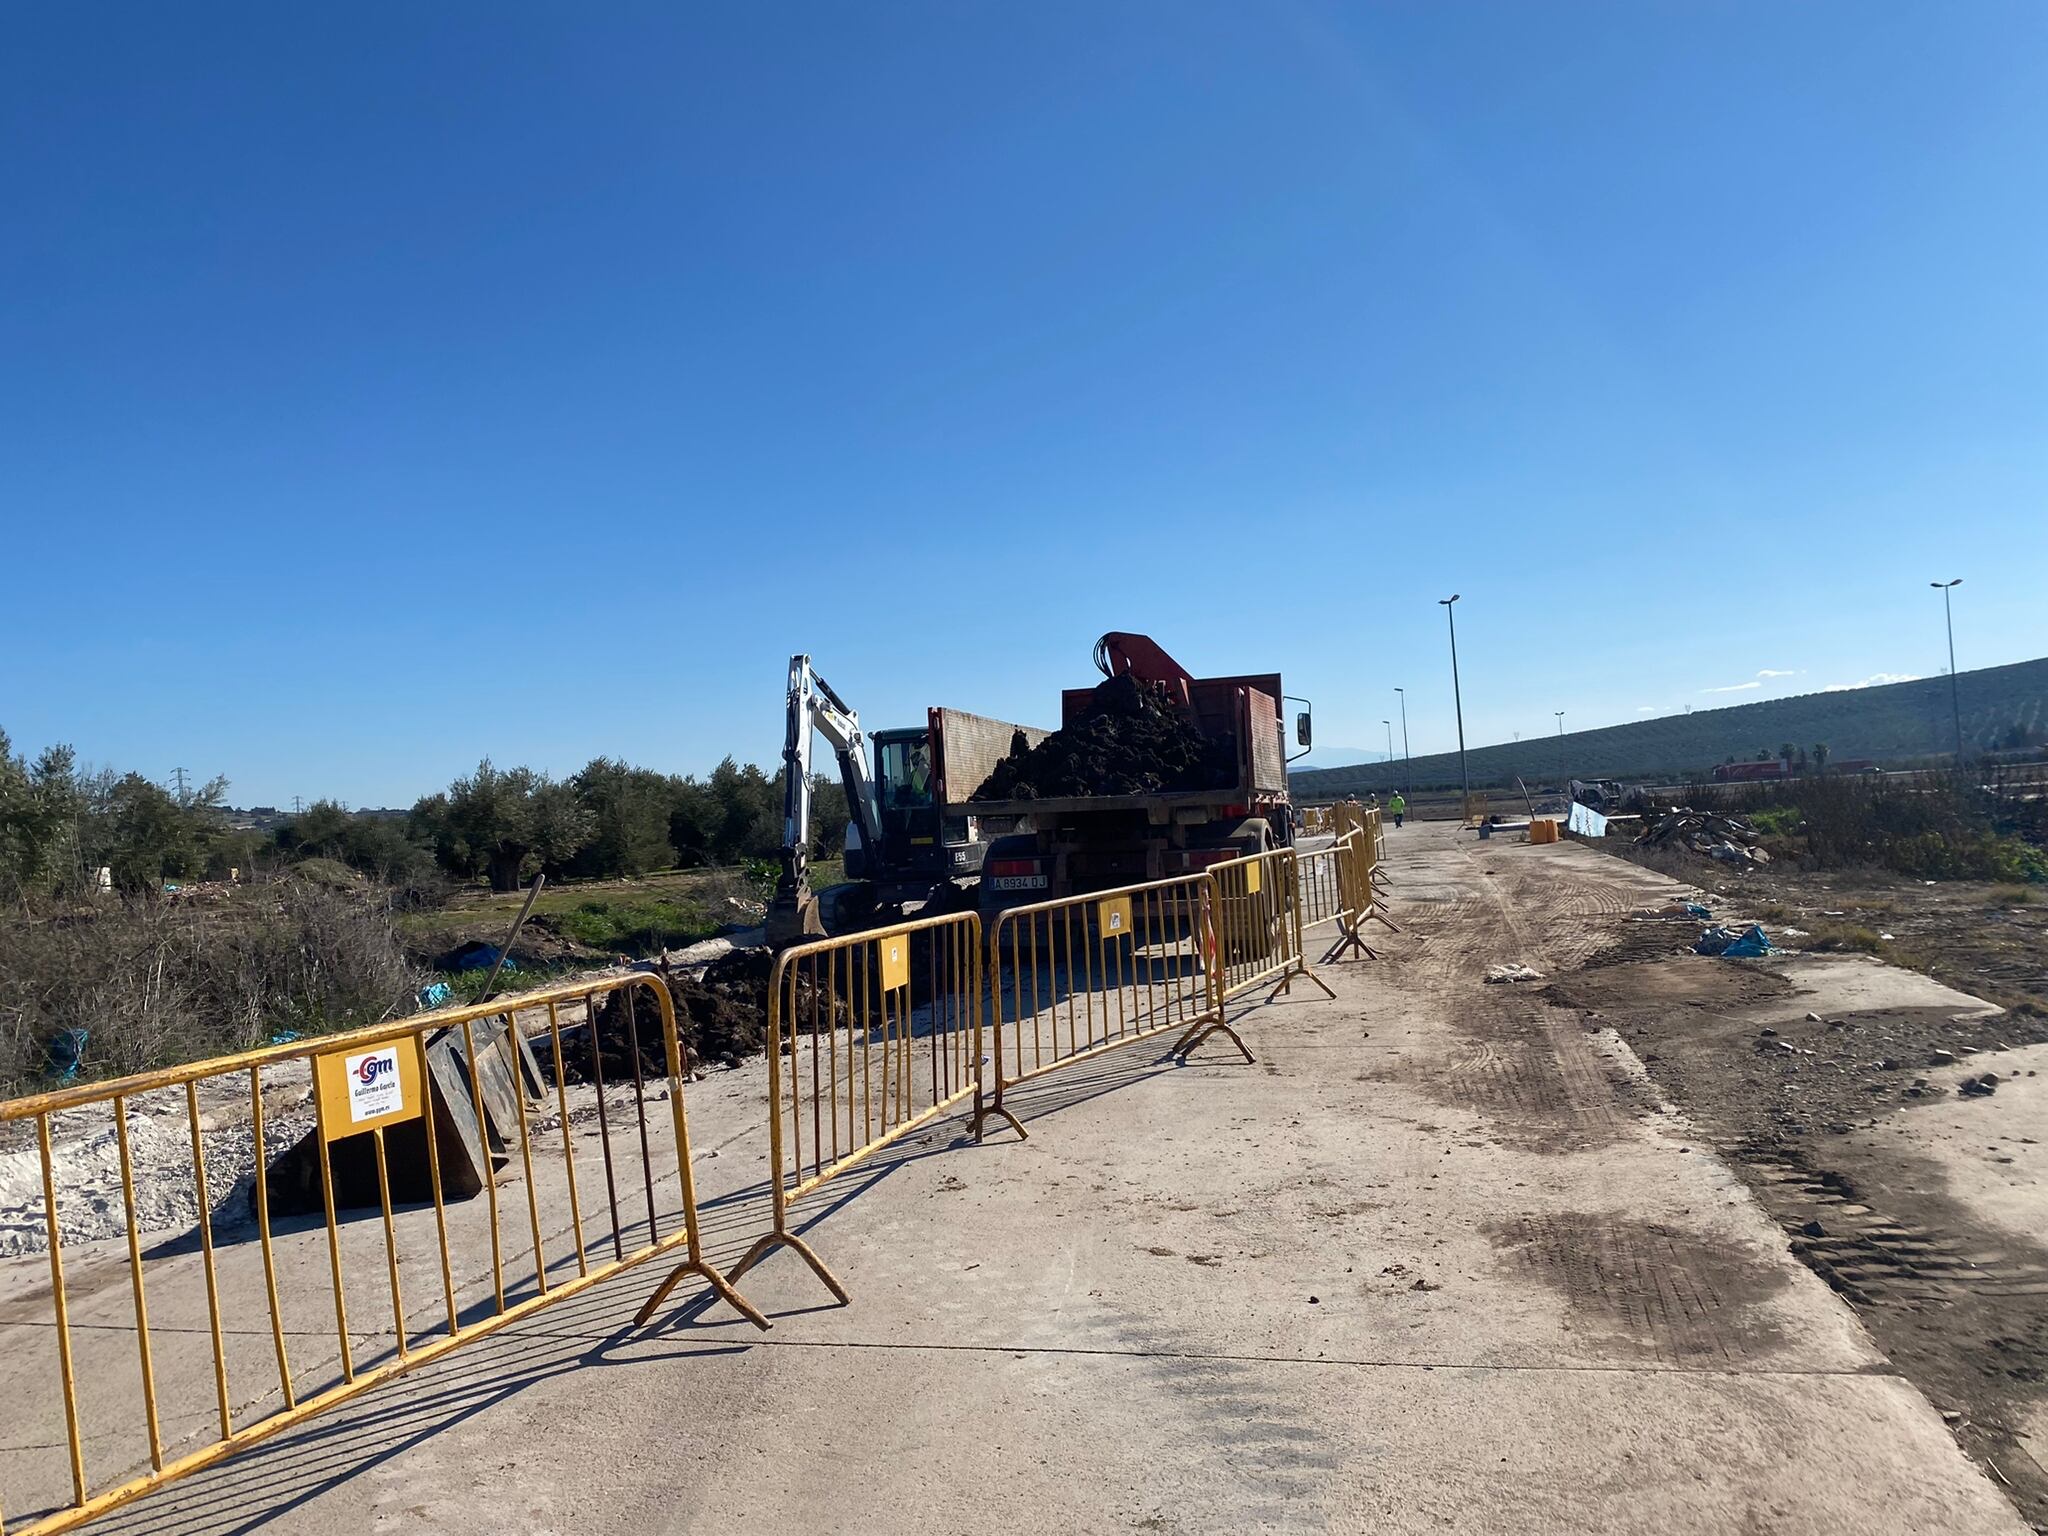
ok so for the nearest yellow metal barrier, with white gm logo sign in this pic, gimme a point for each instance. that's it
(398, 1121)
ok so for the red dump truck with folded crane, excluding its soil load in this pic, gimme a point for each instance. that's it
(1097, 843)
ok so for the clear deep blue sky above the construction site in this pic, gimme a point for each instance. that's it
(386, 386)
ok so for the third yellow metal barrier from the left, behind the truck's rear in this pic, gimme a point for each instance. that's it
(1080, 976)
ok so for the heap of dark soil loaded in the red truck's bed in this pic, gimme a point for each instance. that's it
(1132, 742)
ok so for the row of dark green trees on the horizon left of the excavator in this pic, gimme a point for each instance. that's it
(60, 826)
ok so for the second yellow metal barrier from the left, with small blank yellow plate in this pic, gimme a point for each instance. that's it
(869, 1037)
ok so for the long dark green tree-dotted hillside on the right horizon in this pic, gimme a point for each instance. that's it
(1887, 724)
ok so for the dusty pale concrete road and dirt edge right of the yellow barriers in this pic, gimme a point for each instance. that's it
(1449, 1256)
